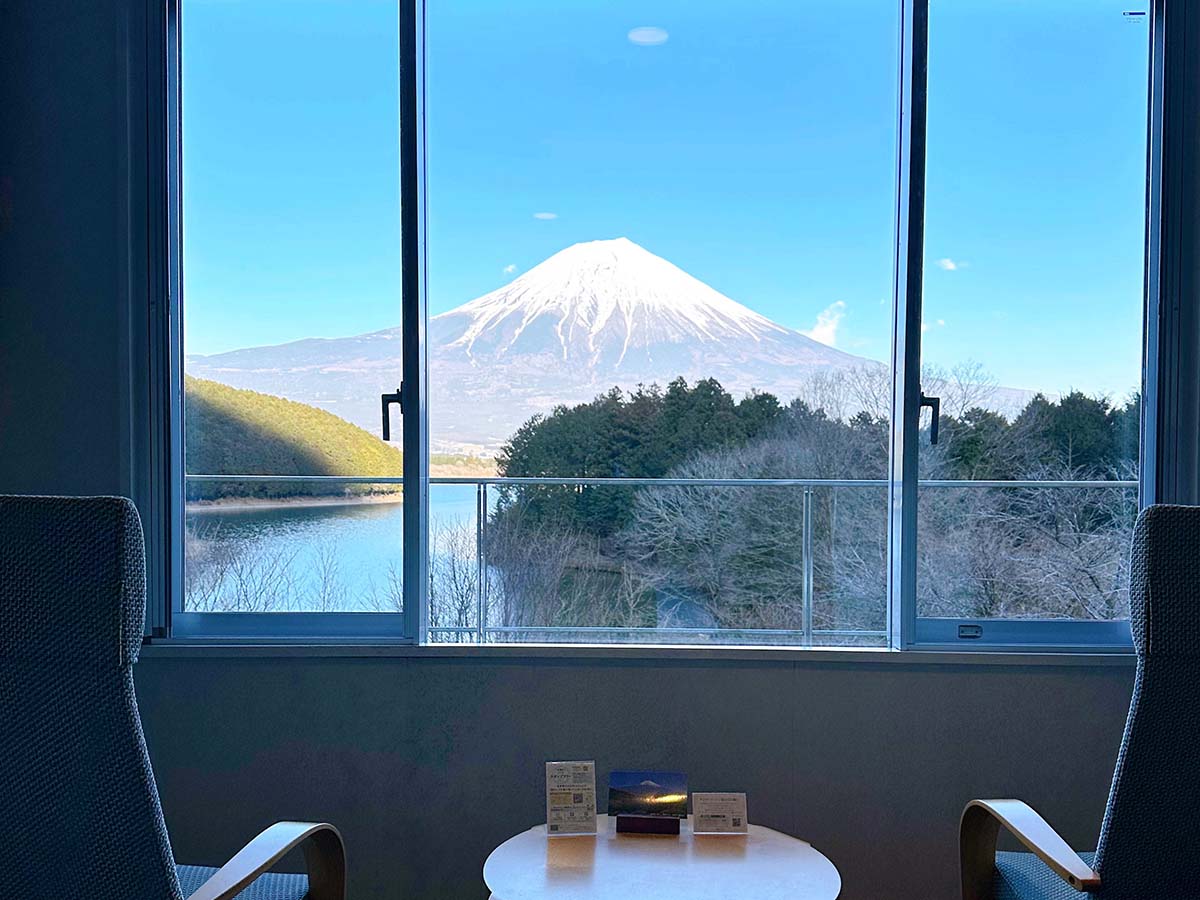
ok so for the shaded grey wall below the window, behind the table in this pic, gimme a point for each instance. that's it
(427, 765)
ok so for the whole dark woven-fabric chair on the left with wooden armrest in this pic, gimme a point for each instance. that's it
(80, 815)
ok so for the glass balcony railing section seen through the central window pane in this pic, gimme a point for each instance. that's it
(758, 563)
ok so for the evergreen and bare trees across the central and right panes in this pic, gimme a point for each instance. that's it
(733, 556)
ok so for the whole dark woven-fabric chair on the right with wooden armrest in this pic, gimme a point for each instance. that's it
(1148, 845)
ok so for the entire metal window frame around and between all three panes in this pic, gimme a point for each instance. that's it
(1171, 335)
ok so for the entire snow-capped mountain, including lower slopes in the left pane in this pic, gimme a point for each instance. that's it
(593, 316)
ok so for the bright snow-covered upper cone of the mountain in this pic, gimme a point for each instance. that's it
(596, 302)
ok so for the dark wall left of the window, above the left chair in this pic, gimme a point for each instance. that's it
(64, 333)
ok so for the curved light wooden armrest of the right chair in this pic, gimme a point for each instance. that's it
(977, 845)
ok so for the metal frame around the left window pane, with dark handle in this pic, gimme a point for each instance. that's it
(411, 625)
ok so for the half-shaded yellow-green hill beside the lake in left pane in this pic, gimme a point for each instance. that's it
(230, 431)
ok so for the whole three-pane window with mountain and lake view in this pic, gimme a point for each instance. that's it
(639, 279)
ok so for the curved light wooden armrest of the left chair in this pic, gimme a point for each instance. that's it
(325, 857)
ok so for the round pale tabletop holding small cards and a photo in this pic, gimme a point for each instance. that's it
(760, 866)
